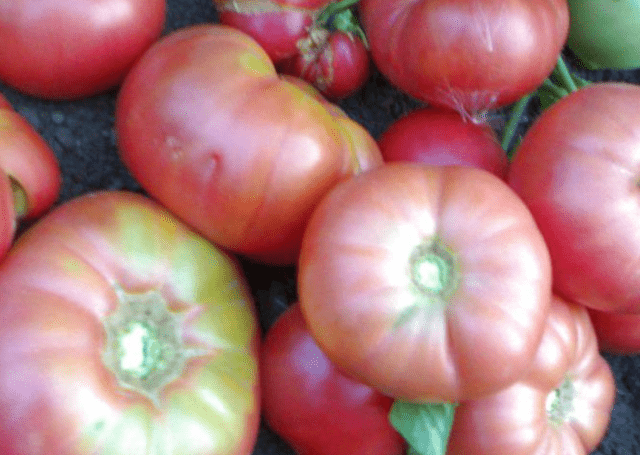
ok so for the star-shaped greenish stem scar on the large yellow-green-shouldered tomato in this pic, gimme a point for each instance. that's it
(144, 347)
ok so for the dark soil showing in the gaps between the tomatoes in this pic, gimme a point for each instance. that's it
(82, 136)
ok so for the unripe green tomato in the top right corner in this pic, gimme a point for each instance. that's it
(605, 34)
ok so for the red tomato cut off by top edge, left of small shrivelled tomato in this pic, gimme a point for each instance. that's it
(277, 25)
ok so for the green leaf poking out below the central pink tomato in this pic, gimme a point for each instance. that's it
(425, 426)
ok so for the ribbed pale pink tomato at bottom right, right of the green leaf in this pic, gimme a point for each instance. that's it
(562, 407)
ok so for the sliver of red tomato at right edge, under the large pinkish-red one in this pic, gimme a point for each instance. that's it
(617, 333)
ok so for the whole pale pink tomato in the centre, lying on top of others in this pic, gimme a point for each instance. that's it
(429, 283)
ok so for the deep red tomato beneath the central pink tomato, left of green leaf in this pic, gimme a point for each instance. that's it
(312, 405)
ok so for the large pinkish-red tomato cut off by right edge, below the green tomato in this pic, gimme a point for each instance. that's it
(577, 171)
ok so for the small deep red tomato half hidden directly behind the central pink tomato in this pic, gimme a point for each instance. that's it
(436, 136)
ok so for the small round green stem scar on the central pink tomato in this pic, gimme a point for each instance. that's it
(433, 269)
